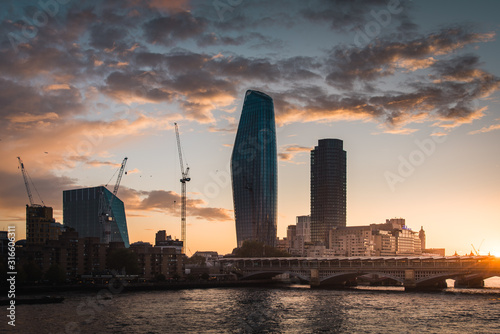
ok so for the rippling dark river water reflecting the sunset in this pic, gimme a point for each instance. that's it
(294, 309)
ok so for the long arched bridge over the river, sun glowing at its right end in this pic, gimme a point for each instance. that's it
(413, 272)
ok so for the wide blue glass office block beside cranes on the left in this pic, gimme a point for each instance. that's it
(81, 212)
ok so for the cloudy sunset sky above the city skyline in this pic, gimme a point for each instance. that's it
(411, 87)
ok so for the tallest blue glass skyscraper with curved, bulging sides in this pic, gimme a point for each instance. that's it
(254, 171)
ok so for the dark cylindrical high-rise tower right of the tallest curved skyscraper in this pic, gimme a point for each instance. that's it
(328, 188)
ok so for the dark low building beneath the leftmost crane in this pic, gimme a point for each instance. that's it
(40, 225)
